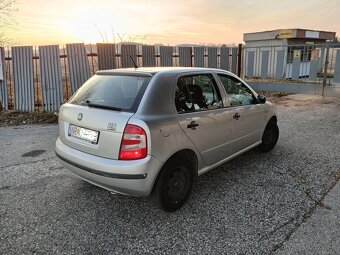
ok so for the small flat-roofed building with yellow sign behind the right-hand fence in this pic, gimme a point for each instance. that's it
(272, 53)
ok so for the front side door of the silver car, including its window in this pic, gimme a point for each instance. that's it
(248, 114)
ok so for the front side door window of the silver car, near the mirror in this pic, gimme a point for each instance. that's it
(237, 93)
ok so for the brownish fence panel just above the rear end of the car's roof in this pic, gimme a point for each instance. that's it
(106, 56)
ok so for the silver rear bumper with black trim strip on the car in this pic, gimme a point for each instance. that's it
(135, 177)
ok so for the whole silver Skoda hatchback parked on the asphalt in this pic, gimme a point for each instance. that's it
(151, 131)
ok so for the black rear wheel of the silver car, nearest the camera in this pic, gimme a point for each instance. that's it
(173, 185)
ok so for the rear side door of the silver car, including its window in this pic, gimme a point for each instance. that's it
(202, 116)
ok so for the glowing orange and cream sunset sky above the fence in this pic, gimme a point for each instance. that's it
(168, 22)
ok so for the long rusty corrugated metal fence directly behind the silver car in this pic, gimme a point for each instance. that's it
(43, 79)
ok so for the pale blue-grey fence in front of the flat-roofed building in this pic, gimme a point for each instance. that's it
(304, 62)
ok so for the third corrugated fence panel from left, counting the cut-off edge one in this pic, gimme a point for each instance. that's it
(51, 77)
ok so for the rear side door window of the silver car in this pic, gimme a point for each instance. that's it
(197, 93)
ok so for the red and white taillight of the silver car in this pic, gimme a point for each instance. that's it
(134, 144)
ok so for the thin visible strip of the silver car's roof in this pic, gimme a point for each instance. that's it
(150, 71)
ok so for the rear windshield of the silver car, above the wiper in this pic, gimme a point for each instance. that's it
(116, 92)
